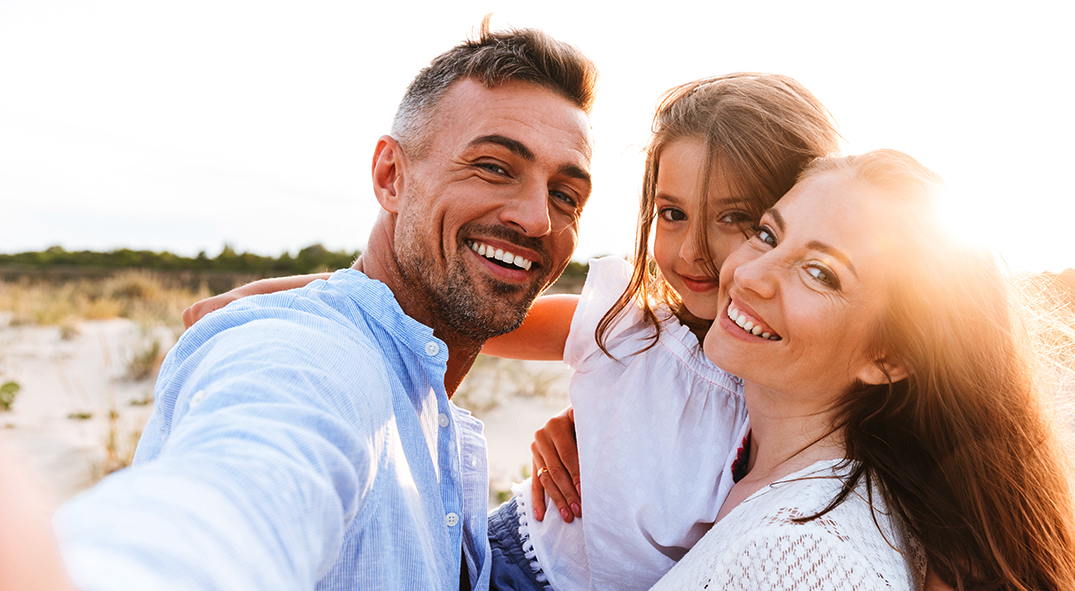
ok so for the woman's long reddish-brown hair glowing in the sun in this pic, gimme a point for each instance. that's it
(968, 451)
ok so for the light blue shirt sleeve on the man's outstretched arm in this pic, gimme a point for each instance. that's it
(256, 483)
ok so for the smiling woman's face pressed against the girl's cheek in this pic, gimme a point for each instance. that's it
(807, 290)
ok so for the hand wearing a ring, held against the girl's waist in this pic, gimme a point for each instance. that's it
(556, 468)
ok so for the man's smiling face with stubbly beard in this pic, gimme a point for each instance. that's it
(507, 172)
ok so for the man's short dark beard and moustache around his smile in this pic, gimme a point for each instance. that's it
(460, 302)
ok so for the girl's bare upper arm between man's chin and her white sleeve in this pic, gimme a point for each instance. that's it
(543, 335)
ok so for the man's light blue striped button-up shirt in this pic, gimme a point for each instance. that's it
(300, 440)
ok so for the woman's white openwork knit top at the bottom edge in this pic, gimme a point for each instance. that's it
(857, 546)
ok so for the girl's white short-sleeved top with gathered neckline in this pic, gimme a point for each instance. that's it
(657, 433)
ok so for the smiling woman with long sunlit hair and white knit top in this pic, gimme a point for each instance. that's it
(896, 419)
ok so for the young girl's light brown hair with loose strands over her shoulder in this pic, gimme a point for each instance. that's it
(763, 129)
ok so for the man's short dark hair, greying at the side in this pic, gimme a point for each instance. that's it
(494, 59)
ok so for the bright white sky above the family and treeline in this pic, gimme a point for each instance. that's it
(184, 126)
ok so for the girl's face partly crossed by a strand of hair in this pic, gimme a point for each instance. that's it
(680, 226)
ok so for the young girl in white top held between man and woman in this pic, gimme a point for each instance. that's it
(652, 412)
